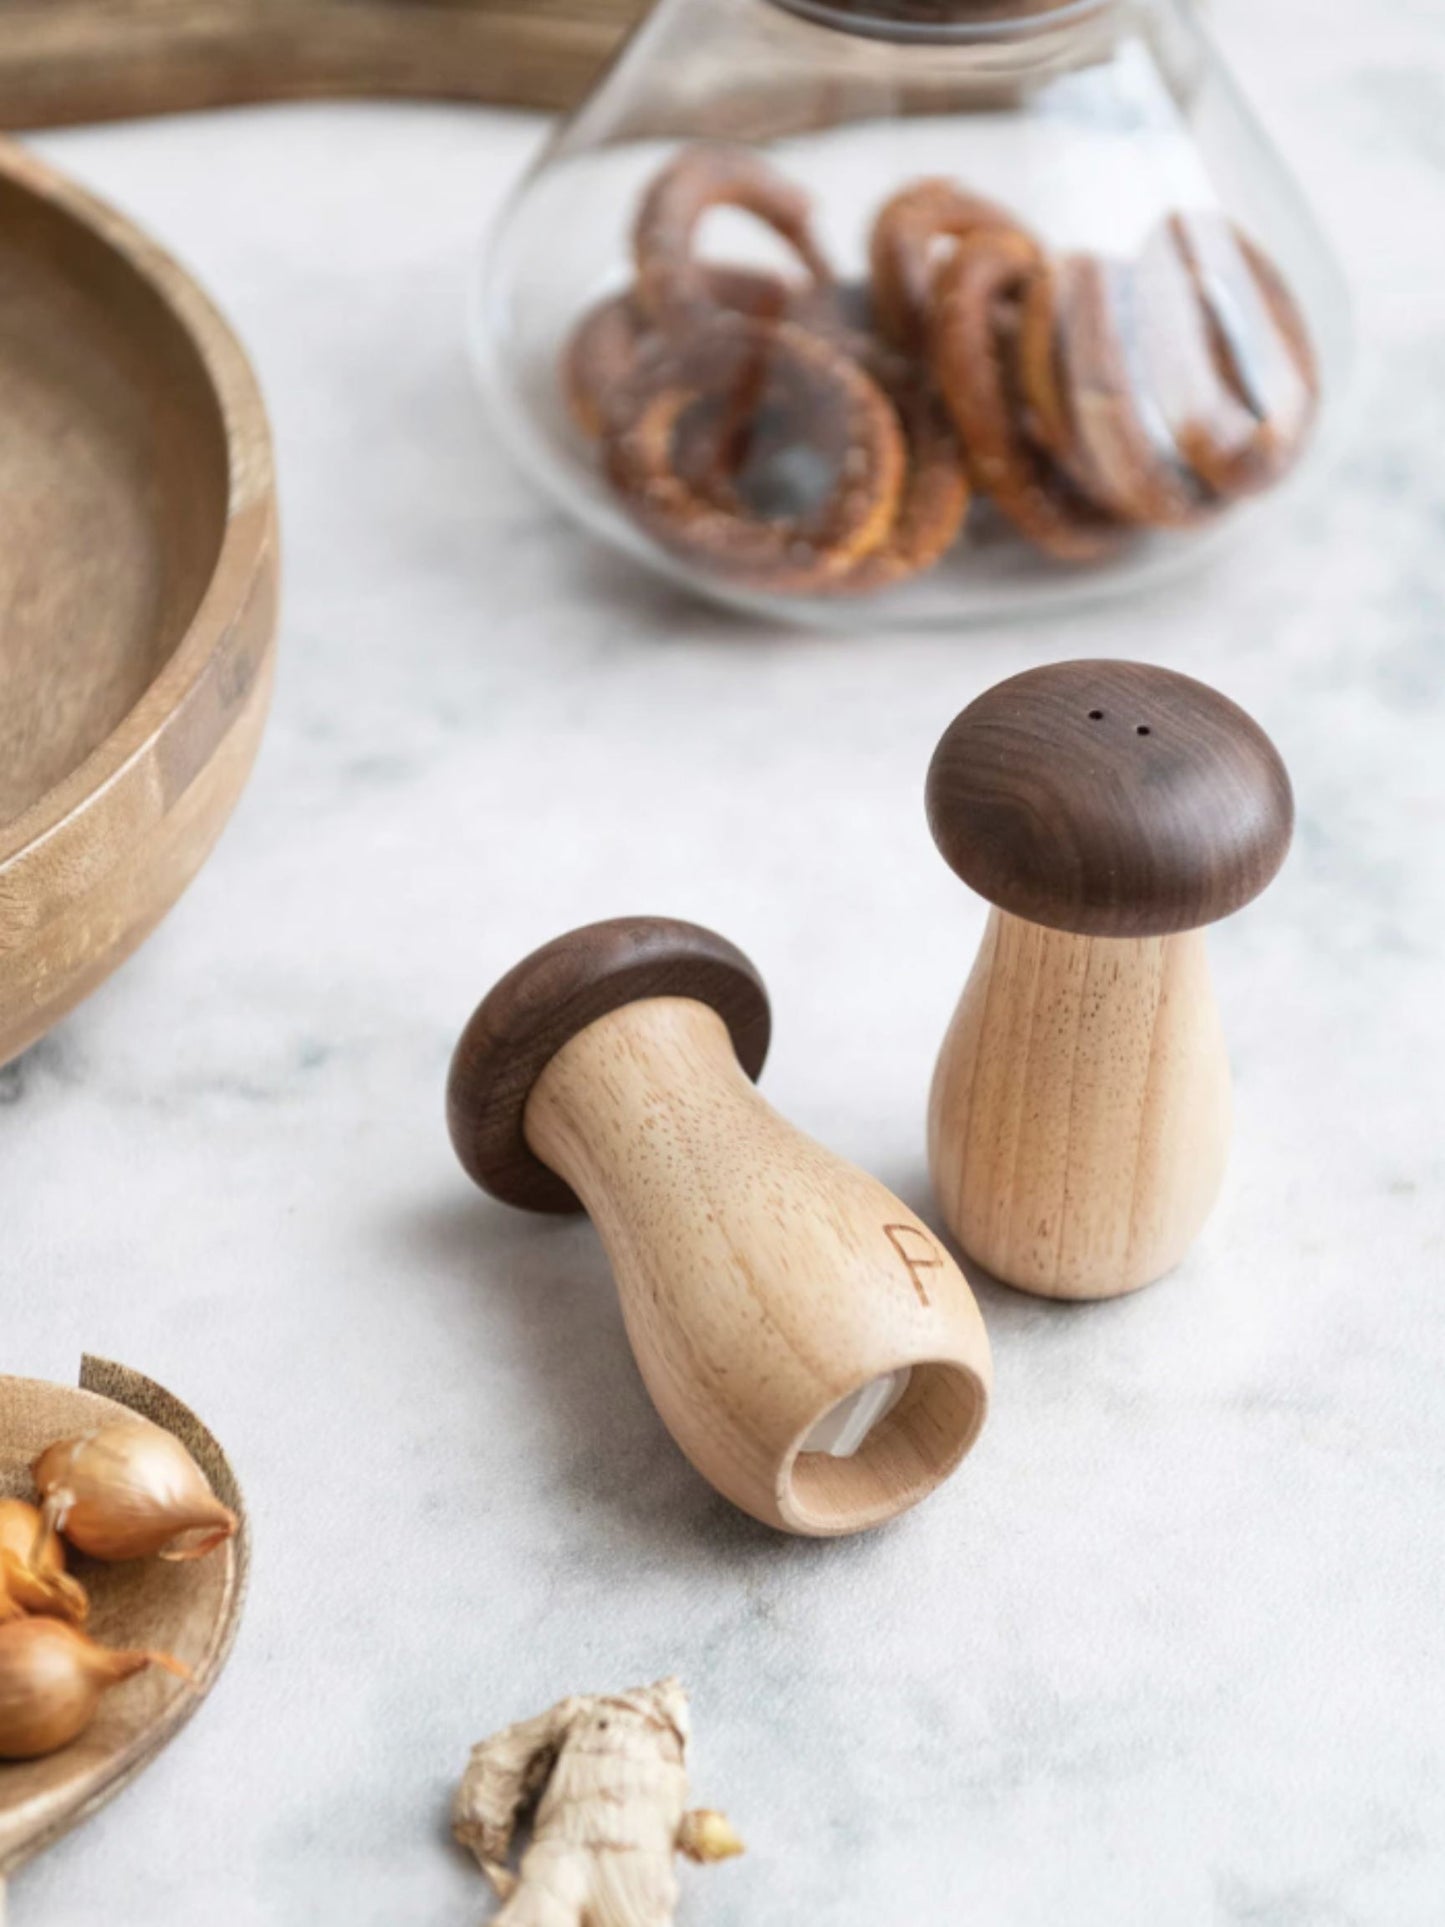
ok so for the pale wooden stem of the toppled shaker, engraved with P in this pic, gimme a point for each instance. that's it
(762, 1279)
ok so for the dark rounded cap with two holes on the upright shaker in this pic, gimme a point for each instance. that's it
(1111, 799)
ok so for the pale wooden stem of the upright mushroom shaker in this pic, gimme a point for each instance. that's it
(1080, 1113)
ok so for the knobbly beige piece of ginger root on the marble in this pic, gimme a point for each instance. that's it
(610, 1783)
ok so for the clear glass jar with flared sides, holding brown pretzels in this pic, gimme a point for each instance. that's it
(847, 309)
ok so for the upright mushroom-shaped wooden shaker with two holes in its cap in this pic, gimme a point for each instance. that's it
(1080, 1111)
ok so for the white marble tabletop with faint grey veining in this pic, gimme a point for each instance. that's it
(1170, 1649)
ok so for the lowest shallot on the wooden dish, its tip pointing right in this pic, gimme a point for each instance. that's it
(53, 1679)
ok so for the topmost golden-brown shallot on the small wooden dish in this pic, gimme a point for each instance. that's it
(132, 1491)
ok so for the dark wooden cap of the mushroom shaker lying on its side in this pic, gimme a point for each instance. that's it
(527, 1018)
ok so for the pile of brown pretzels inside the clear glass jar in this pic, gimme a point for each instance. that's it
(820, 436)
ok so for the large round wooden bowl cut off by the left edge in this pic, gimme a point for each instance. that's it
(138, 589)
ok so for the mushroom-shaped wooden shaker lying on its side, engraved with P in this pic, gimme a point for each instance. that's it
(806, 1340)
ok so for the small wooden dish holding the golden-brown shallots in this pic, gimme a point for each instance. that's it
(188, 1610)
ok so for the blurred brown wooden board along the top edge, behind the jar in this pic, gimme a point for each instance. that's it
(76, 61)
